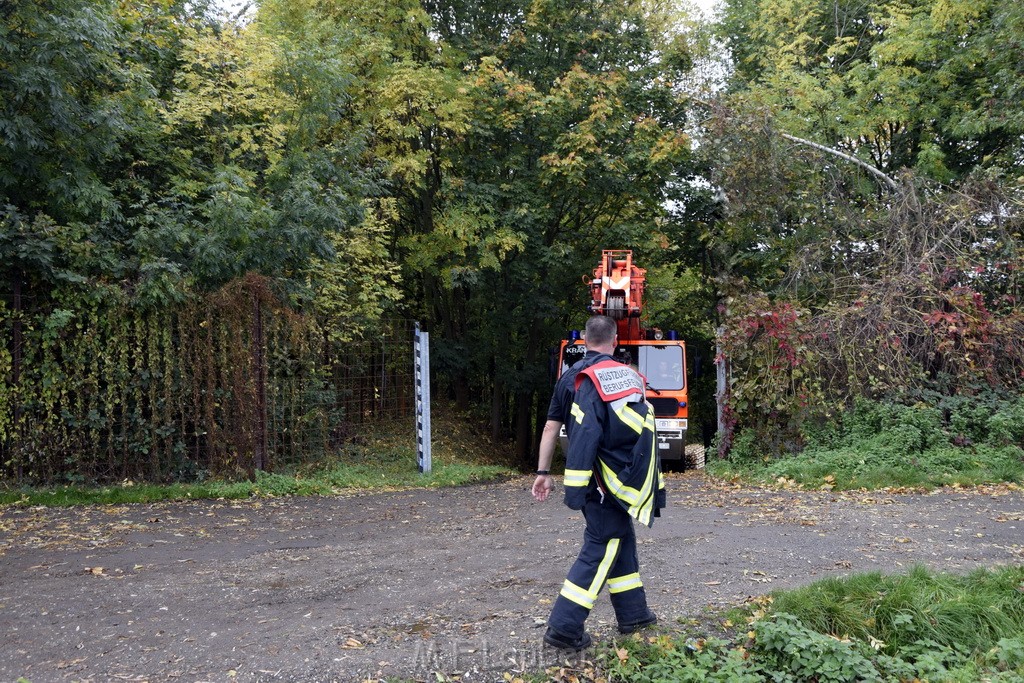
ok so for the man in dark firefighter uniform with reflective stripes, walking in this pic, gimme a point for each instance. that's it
(613, 475)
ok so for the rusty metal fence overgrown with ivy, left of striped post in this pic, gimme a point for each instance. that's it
(227, 385)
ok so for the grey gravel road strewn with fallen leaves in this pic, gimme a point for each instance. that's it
(409, 583)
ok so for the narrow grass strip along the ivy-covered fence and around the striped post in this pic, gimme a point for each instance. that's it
(382, 458)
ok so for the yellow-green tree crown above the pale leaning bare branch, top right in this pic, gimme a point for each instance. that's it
(893, 82)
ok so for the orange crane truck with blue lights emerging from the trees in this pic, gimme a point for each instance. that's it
(617, 291)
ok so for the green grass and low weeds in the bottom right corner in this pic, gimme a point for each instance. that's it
(916, 627)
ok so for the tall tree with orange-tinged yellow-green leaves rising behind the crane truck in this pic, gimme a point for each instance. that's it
(576, 142)
